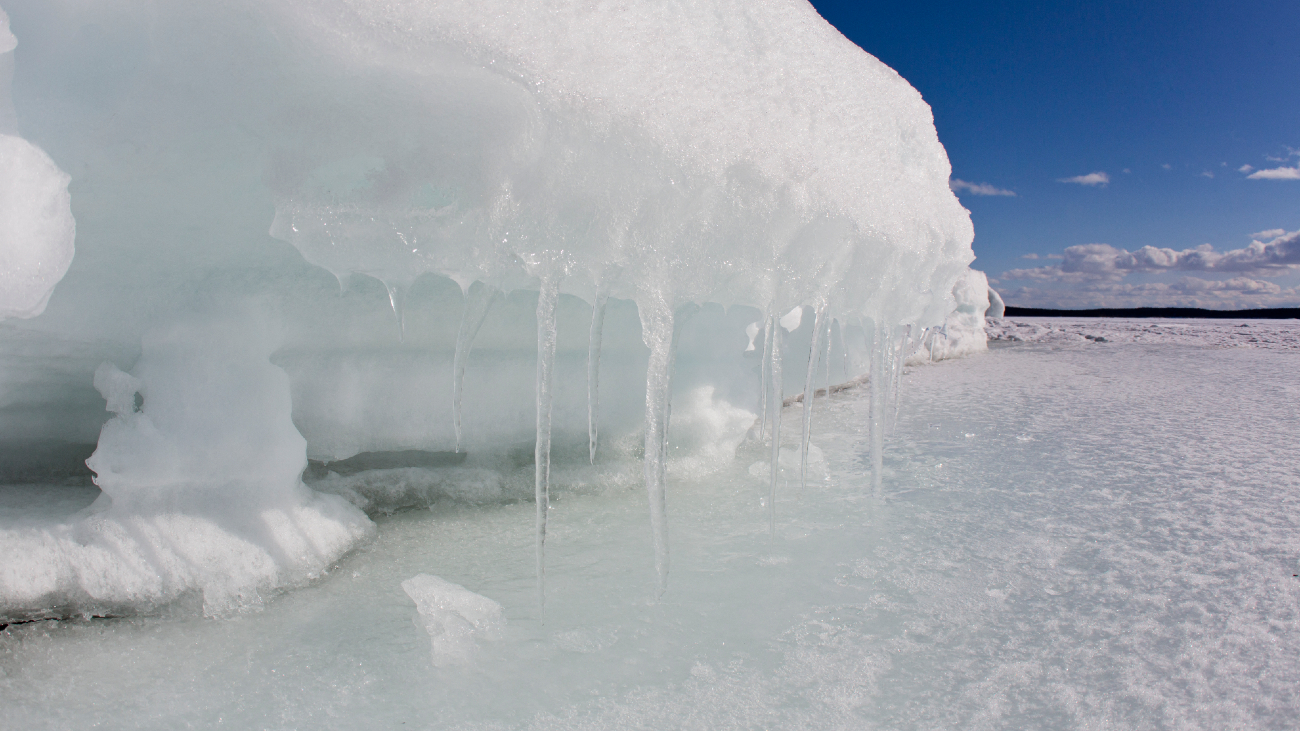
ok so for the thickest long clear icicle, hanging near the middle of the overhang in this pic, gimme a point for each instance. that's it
(657, 327)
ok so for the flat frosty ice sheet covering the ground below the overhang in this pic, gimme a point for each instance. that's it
(1073, 537)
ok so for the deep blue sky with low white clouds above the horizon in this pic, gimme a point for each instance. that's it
(1159, 113)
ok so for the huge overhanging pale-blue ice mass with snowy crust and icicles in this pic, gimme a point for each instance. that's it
(539, 239)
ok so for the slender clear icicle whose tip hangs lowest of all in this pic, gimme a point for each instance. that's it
(547, 301)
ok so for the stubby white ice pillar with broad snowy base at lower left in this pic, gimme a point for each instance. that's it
(202, 495)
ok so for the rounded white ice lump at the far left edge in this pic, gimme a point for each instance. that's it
(37, 226)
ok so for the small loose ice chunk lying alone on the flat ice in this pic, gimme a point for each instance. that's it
(454, 617)
